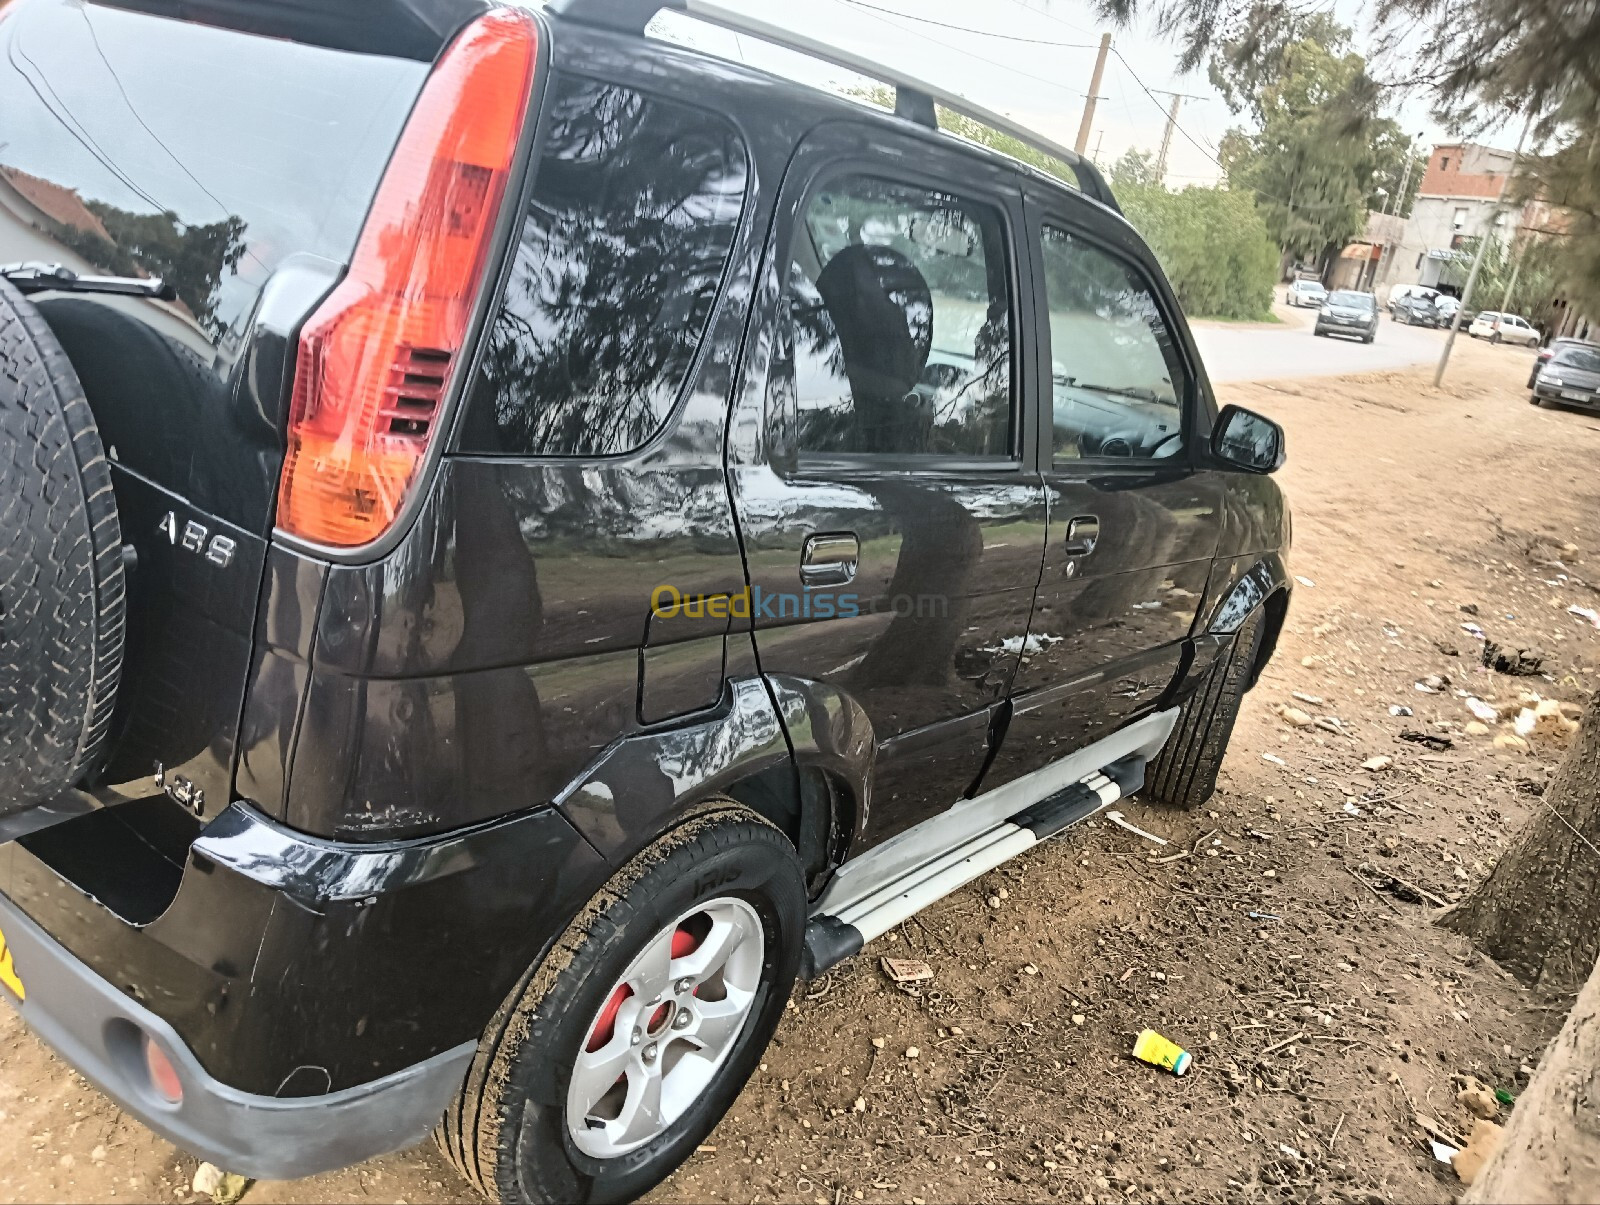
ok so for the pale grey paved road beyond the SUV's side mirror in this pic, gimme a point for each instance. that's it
(1257, 353)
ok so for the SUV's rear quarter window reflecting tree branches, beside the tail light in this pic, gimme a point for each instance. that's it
(634, 210)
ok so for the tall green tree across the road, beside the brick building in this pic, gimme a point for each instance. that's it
(1321, 150)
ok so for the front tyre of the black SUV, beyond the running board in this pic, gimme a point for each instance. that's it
(1185, 774)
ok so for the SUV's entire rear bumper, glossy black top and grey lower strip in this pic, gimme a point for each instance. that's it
(321, 1003)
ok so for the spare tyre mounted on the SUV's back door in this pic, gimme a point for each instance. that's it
(62, 582)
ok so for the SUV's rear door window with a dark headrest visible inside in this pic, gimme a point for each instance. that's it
(900, 324)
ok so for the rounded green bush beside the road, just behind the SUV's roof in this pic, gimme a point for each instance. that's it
(1212, 242)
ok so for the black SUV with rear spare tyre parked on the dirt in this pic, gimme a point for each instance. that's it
(522, 538)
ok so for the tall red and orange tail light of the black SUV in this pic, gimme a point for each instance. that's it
(377, 358)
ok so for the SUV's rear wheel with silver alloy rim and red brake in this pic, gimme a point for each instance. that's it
(510, 1129)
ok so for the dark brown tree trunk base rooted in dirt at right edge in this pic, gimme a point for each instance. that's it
(1538, 913)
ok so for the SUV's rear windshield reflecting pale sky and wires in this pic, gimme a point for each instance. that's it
(134, 145)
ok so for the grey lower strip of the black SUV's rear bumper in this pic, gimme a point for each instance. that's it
(98, 1030)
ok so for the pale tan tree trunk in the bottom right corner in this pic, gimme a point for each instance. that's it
(1551, 1150)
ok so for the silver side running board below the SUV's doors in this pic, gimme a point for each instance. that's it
(839, 934)
